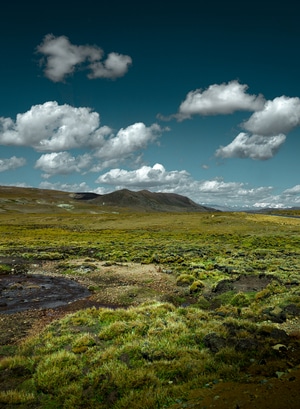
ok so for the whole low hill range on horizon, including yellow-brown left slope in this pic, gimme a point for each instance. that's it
(34, 200)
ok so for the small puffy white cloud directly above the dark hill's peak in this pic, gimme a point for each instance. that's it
(146, 176)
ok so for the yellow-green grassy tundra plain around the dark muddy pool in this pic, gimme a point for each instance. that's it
(236, 284)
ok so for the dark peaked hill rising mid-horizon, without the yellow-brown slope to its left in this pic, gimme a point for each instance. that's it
(144, 200)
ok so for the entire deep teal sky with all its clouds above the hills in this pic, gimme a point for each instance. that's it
(192, 98)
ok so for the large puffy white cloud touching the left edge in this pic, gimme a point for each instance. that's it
(53, 127)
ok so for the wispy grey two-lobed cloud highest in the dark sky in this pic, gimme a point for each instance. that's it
(61, 58)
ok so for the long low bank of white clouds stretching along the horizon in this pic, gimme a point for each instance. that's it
(208, 192)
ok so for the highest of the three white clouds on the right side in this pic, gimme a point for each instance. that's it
(219, 99)
